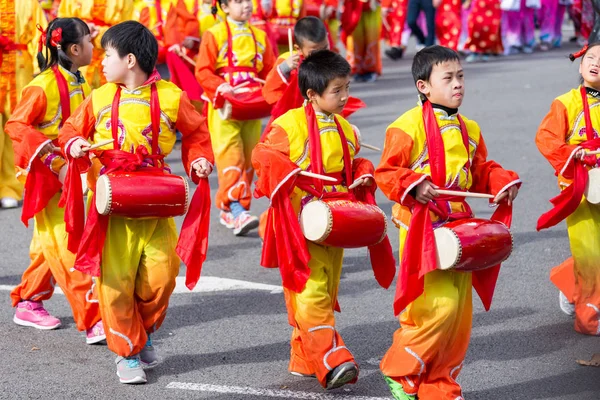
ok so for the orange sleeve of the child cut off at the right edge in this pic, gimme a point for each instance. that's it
(551, 137)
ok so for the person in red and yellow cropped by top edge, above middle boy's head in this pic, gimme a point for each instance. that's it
(361, 32)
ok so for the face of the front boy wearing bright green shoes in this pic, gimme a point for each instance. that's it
(446, 85)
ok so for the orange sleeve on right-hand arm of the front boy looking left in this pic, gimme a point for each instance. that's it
(195, 141)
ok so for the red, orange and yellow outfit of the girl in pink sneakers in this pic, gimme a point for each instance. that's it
(35, 122)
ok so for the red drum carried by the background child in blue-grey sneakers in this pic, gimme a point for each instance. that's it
(243, 106)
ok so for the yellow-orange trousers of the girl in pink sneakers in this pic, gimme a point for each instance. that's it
(52, 263)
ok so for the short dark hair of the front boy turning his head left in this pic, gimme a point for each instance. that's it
(131, 37)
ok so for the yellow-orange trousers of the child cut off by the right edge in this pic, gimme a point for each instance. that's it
(584, 237)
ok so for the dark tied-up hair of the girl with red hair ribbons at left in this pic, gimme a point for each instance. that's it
(73, 30)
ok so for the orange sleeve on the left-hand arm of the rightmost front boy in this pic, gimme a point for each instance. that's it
(393, 175)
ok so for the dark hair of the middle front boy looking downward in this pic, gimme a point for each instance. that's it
(320, 68)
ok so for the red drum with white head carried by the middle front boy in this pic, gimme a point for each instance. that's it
(343, 223)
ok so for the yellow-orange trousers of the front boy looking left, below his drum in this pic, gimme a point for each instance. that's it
(137, 278)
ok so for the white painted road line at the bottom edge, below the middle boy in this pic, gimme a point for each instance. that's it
(278, 393)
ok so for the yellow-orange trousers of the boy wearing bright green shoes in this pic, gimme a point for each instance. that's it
(429, 348)
